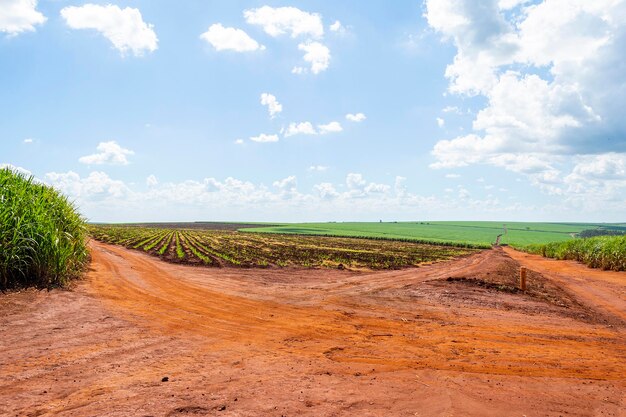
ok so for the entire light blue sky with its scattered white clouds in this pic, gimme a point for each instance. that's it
(404, 110)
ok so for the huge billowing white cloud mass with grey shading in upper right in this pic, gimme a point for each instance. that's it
(545, 104)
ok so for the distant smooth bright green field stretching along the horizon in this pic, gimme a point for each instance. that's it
(478, 233)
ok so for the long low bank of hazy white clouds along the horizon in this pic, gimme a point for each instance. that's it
(102, 198)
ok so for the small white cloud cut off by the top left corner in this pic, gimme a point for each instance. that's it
(17, 16)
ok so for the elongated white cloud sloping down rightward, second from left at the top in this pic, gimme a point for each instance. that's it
(125, 28)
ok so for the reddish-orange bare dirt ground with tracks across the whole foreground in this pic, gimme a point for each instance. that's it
(315, 342)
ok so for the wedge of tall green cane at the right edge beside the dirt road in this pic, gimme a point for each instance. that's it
(605, 252)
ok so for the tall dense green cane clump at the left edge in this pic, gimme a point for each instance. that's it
(42, 236)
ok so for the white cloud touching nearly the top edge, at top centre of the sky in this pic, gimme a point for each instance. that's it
(286, 20)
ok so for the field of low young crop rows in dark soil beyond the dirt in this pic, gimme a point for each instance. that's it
(219, 248)
